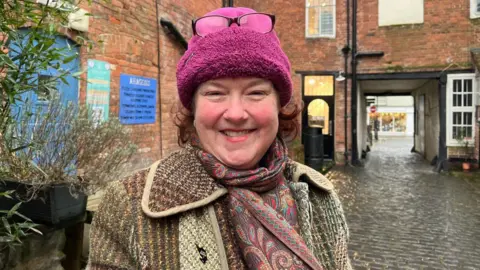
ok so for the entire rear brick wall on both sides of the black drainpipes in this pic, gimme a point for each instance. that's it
(442, 41)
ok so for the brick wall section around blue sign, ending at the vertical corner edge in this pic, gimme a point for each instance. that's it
(128, 36)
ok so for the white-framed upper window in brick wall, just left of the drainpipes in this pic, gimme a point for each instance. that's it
(320, 18)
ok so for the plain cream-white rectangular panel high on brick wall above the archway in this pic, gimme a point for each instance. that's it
(397, 12)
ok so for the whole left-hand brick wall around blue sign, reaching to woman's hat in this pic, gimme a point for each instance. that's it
(128, 31)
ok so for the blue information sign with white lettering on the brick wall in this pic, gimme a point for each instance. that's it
(138, 99)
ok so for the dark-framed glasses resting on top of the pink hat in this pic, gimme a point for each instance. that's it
(259, 22)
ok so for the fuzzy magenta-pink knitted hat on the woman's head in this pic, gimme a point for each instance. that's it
(233, 52)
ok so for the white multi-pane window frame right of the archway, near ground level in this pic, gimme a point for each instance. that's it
(450, 109)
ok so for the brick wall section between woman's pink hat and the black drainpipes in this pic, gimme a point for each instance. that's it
(311, 54)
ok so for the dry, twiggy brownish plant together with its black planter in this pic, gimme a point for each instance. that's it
(56, 156)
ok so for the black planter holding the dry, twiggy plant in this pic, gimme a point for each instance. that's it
(54, 206)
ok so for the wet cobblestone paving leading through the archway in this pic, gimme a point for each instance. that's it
(402, 215)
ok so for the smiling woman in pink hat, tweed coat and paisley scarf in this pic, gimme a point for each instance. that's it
(231, 198)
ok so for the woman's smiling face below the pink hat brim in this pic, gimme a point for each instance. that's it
(236, 119)
